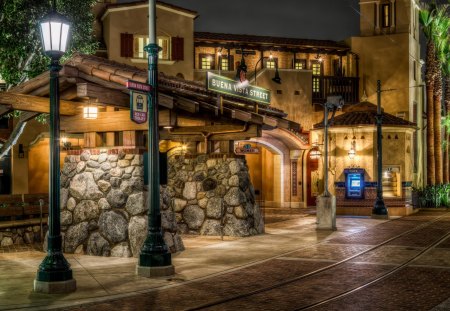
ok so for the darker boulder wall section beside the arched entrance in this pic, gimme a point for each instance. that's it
(213, 196)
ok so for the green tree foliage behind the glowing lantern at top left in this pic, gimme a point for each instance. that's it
(21, 57)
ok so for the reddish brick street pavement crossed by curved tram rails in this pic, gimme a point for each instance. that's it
(420, 286)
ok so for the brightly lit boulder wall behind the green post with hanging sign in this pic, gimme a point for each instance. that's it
(103, 205)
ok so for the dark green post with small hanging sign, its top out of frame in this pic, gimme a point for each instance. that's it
(154, 259)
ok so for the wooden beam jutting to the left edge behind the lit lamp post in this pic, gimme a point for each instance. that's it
(36, 104)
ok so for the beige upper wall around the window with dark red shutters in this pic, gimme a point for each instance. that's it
(133, 19)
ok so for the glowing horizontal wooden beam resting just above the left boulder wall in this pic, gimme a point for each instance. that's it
(115, 121)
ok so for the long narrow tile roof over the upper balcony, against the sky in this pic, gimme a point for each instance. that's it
(268, 40)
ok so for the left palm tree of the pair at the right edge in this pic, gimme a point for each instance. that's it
(426, 17)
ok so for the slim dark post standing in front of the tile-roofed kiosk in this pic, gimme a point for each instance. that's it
(379, 210)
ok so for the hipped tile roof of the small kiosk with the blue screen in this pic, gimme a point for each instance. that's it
(364, 114)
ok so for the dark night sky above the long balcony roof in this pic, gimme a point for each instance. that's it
(306, 19)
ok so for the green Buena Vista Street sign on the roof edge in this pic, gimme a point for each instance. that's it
(231, 87)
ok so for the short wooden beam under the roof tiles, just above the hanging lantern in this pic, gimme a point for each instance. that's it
(103, 95)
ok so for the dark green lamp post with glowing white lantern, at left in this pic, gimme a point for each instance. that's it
(54, 274)
